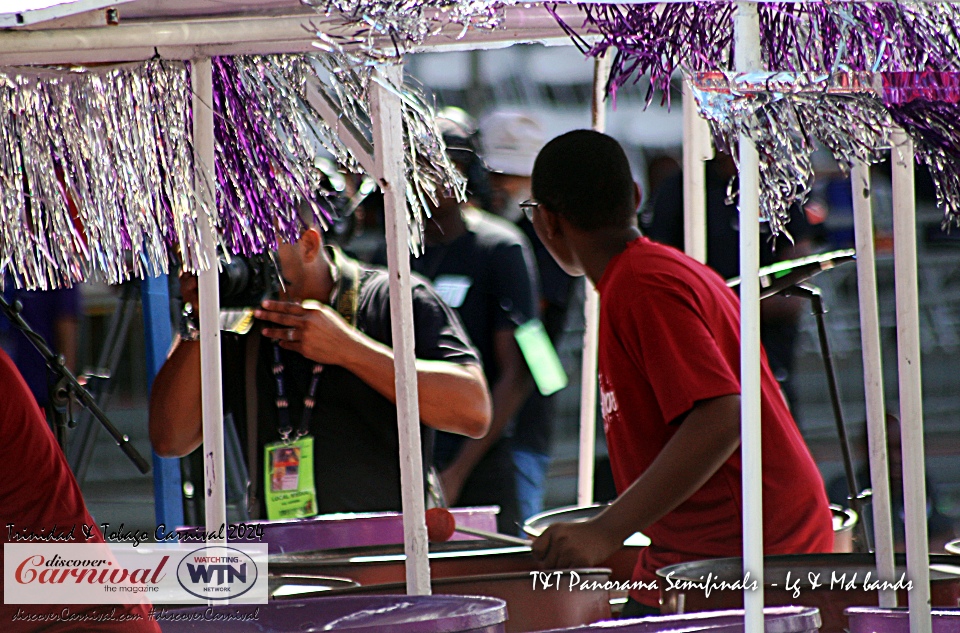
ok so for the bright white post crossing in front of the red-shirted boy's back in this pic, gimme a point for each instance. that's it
(747, 51)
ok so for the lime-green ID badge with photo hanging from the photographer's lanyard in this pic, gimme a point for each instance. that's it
(288, 479)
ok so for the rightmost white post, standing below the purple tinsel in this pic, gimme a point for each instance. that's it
(911, 397)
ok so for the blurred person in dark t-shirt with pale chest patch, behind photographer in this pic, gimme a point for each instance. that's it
(483, 267)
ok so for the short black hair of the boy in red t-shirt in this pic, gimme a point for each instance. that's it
(585, 176)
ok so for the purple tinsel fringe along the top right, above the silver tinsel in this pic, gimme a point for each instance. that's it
(656, 40)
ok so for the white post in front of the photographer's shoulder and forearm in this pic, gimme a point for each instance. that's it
(385, 109)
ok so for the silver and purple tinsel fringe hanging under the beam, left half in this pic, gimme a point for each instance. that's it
(97, 166)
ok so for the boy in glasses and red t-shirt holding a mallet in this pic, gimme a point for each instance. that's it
(669, 384)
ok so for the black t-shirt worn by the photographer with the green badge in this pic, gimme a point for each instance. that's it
(356, 441)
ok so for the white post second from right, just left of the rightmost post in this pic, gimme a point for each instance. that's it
(873, 379)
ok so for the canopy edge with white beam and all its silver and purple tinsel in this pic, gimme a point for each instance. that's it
(97, 164)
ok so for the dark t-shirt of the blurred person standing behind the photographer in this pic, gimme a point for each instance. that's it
(488, 275)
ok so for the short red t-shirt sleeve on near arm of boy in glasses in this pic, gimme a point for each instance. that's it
(671, 340)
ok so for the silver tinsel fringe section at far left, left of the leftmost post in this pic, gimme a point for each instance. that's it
(95, 170)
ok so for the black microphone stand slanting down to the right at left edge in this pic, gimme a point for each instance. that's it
(67, 385)
